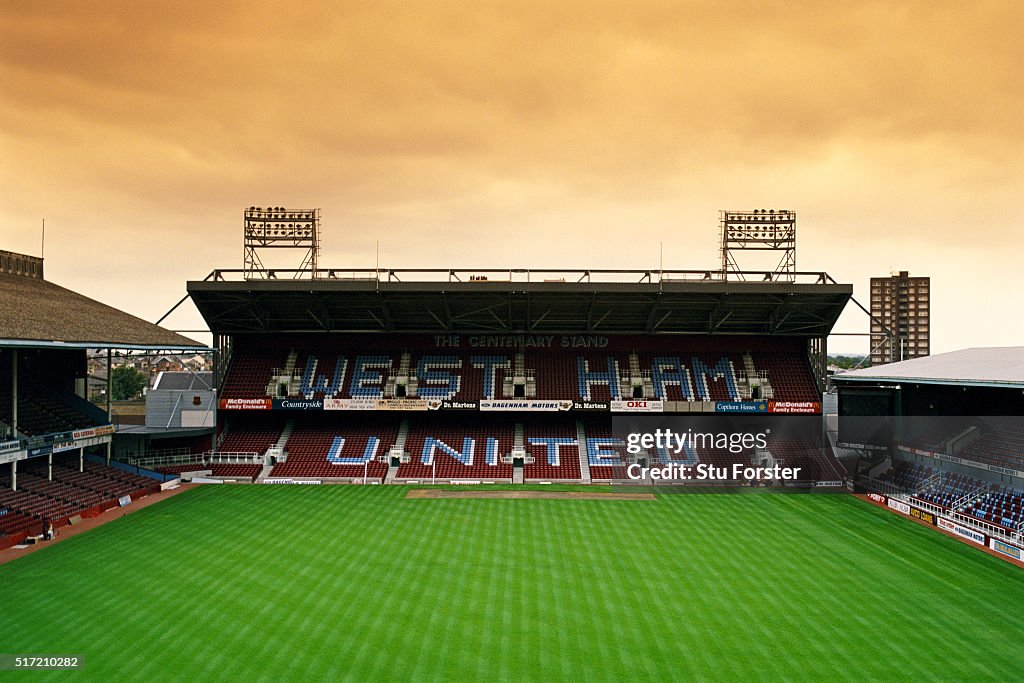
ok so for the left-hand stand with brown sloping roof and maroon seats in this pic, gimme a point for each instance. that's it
(47, 332)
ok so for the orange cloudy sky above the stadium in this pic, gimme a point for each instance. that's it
(567, 135)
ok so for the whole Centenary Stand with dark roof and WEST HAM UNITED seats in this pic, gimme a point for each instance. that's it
(449, 405)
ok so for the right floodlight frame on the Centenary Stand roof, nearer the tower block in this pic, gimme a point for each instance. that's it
(761, 230)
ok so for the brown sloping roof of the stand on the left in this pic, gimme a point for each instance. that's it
(38, 314)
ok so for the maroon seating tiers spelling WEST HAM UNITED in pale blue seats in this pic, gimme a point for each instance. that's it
(351, 367)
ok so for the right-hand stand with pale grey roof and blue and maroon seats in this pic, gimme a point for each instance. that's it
(960, 422)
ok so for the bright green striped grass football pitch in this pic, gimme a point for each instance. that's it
(286, 583)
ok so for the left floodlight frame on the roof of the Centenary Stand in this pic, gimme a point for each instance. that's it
(278, 228)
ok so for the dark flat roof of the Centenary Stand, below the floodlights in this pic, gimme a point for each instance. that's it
(516, 302)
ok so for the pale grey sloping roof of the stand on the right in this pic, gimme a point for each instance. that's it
(989, 367)
